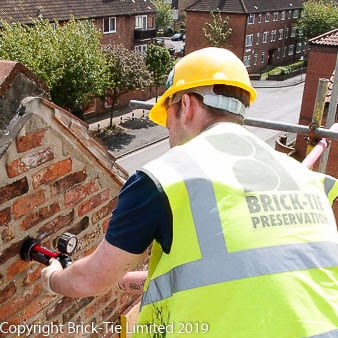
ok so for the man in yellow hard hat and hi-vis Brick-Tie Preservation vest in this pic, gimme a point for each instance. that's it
(244, 238)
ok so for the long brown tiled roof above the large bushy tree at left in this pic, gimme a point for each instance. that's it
(24, 10)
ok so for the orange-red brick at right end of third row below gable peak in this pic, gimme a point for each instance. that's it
(52, 172)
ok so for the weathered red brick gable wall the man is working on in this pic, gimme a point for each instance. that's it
(51, 182)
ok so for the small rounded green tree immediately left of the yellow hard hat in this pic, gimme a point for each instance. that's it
(159, 62)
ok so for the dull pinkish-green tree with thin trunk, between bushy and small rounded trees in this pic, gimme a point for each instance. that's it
(127, 71)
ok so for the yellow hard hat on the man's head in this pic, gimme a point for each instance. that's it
(203, 67)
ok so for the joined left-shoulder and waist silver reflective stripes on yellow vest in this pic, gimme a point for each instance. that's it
(217, 265)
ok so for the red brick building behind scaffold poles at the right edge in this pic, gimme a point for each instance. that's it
(322, 59)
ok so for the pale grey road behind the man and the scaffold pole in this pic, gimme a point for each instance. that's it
(277, 104)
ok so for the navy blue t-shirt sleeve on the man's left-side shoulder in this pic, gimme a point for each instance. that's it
(142, 214)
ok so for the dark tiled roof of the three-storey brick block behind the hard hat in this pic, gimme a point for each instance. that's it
(245, 6)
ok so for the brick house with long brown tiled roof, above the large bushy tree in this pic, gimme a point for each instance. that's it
(128, 22)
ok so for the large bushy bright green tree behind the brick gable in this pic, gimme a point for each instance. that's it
(67, 58)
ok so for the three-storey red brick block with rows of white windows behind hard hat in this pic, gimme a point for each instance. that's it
(262, 31)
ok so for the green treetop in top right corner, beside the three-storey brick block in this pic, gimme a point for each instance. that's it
(318, 17)
